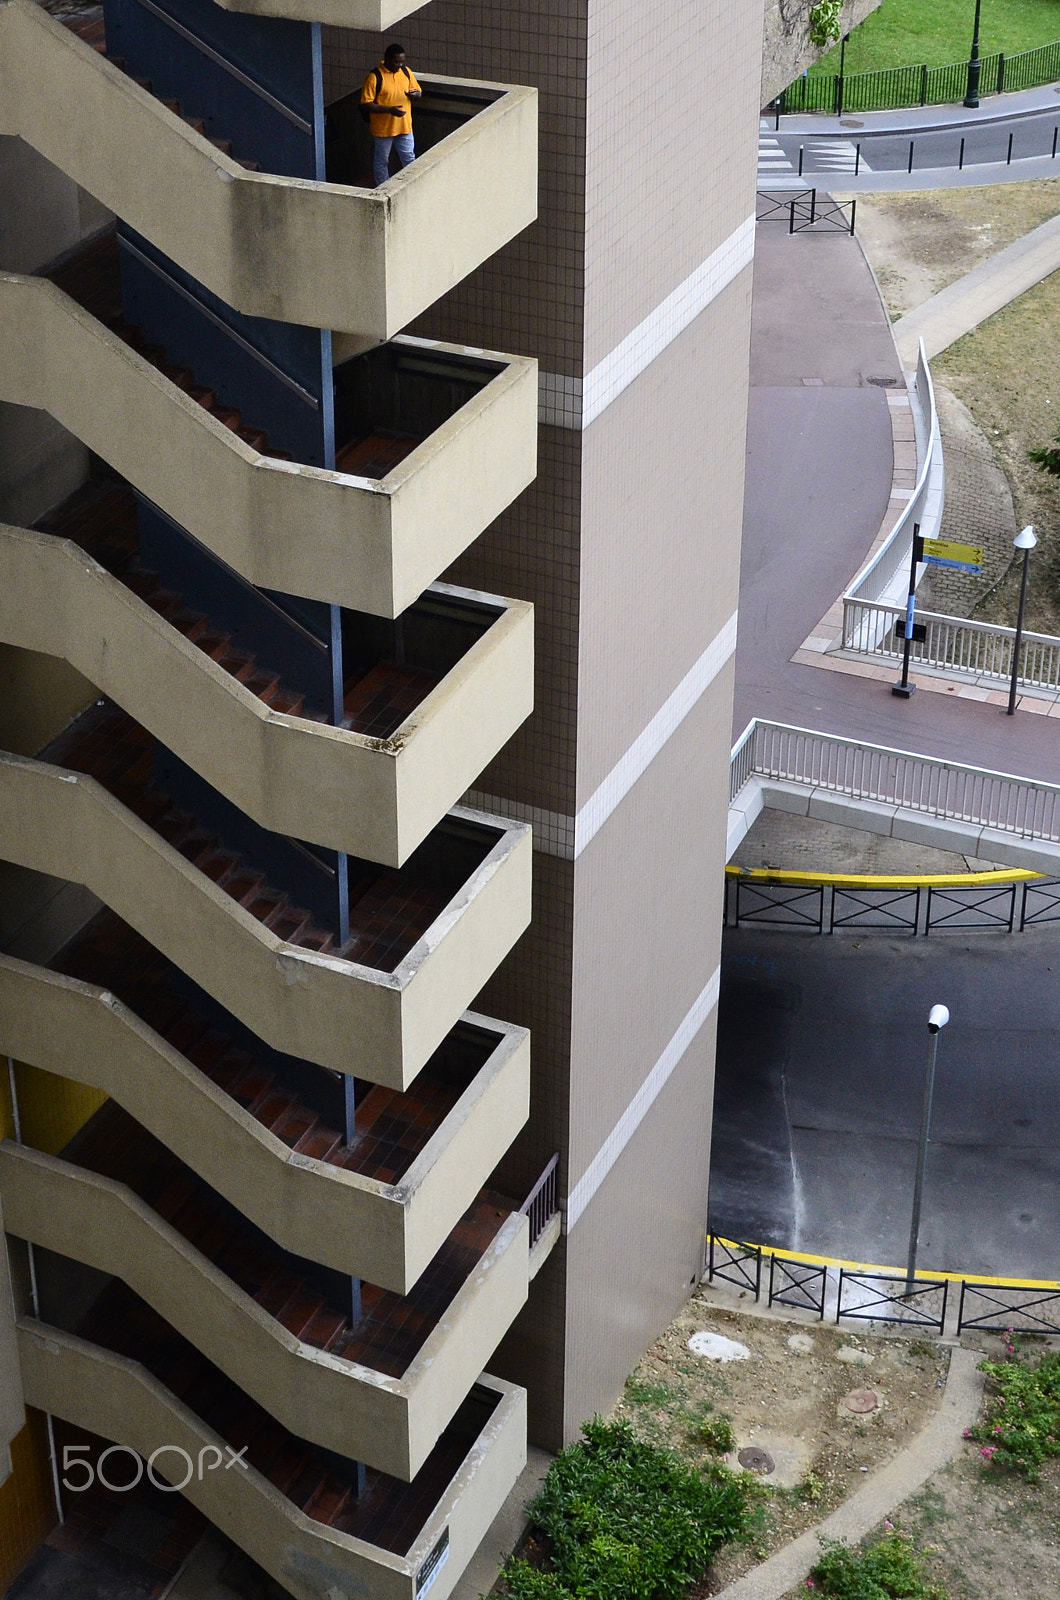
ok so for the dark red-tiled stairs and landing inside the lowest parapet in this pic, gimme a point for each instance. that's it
(390, 1513)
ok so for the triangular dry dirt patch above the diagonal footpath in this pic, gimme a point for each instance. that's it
(923, 242)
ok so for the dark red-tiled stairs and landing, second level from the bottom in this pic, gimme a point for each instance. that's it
(393, 1327)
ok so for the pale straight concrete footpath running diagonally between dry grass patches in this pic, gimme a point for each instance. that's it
(994, 284)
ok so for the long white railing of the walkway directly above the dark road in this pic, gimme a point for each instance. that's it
(918, 783)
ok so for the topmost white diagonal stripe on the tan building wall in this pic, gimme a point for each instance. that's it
(662, 327)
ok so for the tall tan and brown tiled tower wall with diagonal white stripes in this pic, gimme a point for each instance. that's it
(630, 546)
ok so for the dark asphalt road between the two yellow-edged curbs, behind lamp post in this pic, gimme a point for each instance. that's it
(821, 1068)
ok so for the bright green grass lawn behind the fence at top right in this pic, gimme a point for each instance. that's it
(909, 33)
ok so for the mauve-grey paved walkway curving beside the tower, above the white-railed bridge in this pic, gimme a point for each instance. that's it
(819, 476)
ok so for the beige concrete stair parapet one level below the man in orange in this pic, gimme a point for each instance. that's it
(371, 545)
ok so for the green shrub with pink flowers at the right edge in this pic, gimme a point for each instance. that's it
(1022, 1425)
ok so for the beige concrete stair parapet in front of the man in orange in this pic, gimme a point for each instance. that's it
(339, 258)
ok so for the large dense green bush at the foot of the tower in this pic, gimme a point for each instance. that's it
(627, 1521)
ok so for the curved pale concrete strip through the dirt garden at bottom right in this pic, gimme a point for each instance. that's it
(886, 1490)
